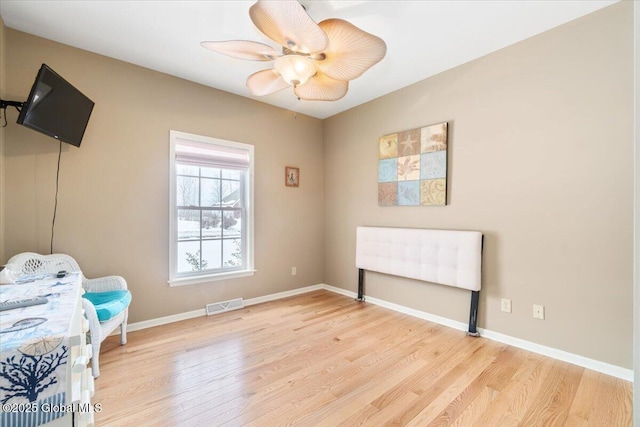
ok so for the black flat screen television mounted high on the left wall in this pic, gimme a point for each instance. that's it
(56, 108)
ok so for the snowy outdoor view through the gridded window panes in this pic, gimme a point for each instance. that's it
(210, 214)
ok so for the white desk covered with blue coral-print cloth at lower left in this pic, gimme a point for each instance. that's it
(44, 379)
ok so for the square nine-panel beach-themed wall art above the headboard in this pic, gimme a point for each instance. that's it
(412, 167)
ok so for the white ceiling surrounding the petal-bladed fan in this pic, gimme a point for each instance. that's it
(423, 37)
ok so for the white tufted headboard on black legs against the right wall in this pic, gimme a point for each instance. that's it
(446, 257)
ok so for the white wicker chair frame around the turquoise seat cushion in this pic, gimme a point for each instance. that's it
(29, 263)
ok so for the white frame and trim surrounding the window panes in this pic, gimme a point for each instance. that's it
(190, 278)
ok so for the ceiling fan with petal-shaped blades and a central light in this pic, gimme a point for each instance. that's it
(318, 60)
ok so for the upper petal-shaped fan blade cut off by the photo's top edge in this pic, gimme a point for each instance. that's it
(287, 23)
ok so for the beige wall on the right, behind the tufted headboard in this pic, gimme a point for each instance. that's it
(540, 161)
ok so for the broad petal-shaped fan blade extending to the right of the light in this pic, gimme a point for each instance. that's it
(351, 50)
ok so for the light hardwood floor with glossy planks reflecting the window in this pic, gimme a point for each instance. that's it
(321, 359)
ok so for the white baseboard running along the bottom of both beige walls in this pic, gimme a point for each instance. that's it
(585, 362)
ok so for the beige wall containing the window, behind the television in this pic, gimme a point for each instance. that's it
(113, 204)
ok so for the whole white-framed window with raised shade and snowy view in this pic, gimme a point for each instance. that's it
(211, 209)
